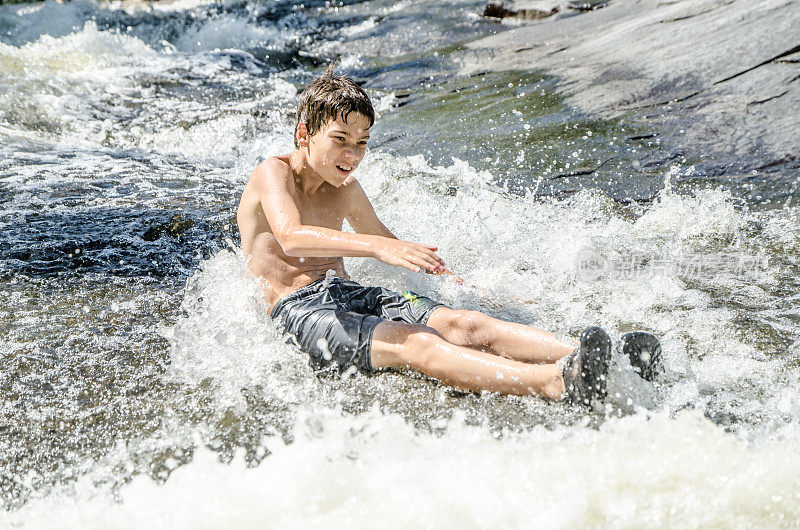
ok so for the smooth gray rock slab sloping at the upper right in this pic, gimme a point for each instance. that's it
(720, 77)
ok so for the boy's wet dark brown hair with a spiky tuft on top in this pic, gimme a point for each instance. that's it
(328, 97)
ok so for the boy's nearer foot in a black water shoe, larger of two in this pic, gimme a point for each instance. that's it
(585, 369)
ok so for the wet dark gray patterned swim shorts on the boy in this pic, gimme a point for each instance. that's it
(333, 320)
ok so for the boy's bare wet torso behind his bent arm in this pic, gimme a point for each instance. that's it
(266, 258)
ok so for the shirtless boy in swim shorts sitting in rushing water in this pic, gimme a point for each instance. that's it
(290, 218)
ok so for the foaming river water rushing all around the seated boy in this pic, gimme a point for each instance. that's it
(143, 384)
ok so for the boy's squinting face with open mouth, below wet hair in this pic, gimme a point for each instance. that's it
(338, 147)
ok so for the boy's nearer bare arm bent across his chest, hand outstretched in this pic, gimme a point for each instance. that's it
(273, 181)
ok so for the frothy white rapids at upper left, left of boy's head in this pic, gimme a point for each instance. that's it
(75, 84)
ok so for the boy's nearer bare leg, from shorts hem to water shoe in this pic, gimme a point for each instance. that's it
(421, 348)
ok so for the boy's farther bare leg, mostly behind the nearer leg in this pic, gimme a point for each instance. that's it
(524, 343)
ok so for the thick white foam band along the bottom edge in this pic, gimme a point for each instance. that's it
(376, 471)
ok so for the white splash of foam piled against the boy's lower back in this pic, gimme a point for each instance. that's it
(227, 337)
